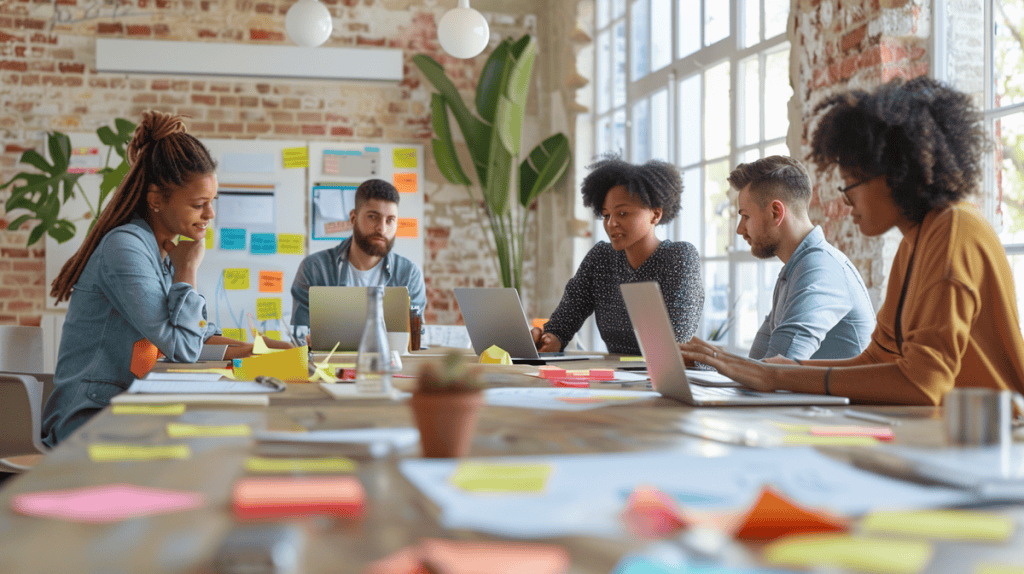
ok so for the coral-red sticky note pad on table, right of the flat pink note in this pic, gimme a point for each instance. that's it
(278, 498)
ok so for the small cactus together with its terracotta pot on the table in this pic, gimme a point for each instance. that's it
(446, 402)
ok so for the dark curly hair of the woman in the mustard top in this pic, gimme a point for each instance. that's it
(926, 139)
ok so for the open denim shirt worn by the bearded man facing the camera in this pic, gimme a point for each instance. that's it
(330, 269)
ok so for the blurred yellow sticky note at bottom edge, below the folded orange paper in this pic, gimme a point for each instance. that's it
(855, 553)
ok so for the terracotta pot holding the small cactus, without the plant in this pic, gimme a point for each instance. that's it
(447, 422)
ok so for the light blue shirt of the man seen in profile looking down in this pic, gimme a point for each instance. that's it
(821, 310)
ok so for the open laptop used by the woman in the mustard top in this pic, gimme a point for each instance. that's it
(665, 364)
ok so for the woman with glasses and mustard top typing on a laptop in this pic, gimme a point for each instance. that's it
(909, 155)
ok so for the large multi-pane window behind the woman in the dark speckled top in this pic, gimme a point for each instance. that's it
(704, 84)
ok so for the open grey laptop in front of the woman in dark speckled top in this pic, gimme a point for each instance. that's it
(495, 317)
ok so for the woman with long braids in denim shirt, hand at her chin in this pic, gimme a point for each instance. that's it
(132, 288)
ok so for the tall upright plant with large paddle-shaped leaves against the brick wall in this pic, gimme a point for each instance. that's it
(494, 138)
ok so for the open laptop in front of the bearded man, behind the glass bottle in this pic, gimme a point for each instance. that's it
(338, 315)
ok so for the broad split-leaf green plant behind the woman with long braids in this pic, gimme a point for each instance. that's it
(42, 195)
